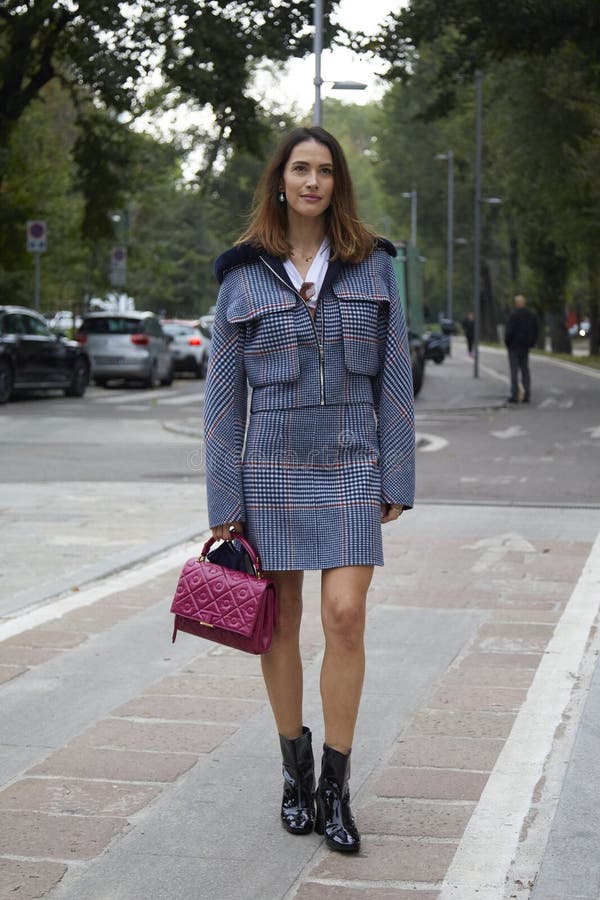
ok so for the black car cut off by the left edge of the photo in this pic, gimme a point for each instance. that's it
(34, 358)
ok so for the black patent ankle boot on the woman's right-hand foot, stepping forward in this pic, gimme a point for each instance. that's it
(334, 816)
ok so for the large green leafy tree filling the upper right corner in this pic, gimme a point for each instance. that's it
(542, 71)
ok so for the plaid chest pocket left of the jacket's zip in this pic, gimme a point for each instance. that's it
(271, 349)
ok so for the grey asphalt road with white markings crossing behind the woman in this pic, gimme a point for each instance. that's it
(475, 448)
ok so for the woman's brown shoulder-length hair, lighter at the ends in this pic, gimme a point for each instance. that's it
(350, 240)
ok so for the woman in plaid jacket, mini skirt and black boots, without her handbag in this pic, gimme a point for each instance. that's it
(308, 314)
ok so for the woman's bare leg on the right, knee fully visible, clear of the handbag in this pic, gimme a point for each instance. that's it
(343, 605)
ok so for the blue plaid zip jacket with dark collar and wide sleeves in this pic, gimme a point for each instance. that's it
(357, 352)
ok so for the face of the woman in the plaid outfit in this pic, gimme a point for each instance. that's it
(308, 179)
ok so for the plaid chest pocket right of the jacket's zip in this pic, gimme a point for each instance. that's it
(360, 334)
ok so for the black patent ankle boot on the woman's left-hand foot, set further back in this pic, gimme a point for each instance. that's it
(298, 805)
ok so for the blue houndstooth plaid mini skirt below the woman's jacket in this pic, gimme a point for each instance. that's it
(312, 487)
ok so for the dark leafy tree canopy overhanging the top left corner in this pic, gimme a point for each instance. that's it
(203, 51)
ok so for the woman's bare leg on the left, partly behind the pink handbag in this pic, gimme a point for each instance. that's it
(282, 665)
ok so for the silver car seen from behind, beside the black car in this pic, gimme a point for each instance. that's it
(129, 346)
